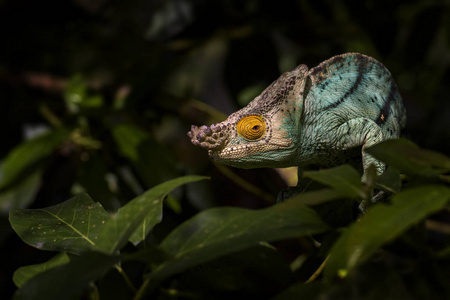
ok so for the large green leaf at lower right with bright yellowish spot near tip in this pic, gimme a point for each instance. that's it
(382, 224)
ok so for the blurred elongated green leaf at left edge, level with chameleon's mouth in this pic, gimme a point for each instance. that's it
(28, 153)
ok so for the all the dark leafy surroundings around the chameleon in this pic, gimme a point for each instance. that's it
(96, 168)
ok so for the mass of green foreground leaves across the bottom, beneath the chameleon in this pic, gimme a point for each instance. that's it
(223, 243)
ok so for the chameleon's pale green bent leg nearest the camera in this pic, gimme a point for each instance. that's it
(360, 132)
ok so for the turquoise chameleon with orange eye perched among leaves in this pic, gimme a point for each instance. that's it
(325, 116)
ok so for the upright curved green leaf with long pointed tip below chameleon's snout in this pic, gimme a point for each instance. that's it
(135, 220)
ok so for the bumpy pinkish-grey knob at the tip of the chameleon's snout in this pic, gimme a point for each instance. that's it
(208, 137)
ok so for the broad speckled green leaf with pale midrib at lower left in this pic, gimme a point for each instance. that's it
(72, 226)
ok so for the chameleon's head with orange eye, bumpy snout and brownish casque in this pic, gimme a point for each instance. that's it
(262, 133)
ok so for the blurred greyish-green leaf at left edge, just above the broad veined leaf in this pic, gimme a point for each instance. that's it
(21, 194)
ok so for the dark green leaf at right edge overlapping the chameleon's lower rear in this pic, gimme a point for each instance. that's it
(409, 158)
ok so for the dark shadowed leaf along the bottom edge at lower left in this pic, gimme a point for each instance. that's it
(68, 281)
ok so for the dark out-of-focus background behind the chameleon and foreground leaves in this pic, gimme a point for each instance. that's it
(165, 57)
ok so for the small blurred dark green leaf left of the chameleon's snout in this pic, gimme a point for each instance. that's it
(128, 138)
